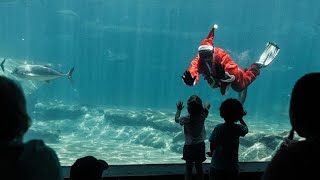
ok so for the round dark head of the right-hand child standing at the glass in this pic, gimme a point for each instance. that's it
(231, 110)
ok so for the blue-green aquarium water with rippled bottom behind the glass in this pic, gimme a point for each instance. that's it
(129, 56)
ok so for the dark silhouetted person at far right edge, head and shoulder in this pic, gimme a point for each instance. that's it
(300, 159)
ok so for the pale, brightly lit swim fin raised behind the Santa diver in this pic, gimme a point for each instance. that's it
(269, 53)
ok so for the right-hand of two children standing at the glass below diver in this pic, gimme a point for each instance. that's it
(224, 141)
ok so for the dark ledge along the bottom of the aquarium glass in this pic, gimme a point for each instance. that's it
(248, 171)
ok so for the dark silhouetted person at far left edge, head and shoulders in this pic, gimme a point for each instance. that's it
(32, 160)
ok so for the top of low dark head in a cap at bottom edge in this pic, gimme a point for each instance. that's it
(88, 168)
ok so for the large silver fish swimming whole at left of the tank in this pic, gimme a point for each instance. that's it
(39, 72)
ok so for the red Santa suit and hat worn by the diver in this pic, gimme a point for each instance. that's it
(238, 78)
